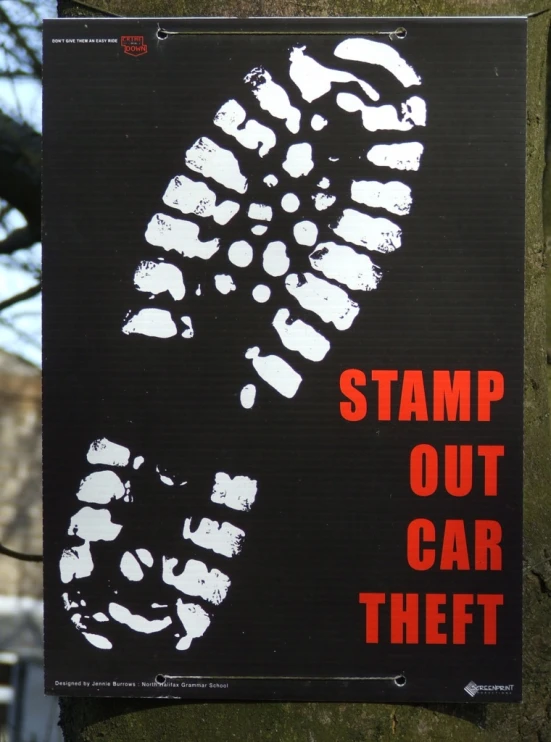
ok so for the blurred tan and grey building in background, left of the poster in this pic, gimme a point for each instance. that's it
(26, 715)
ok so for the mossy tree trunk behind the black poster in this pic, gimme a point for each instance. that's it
(134, 720)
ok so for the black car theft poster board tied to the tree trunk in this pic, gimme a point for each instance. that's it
(283, 331)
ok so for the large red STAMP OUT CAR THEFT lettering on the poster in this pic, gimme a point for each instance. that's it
(455, 544)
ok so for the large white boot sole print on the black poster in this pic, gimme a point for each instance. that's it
(324, 268)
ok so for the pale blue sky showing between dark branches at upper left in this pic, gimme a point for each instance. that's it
(20, 325)
